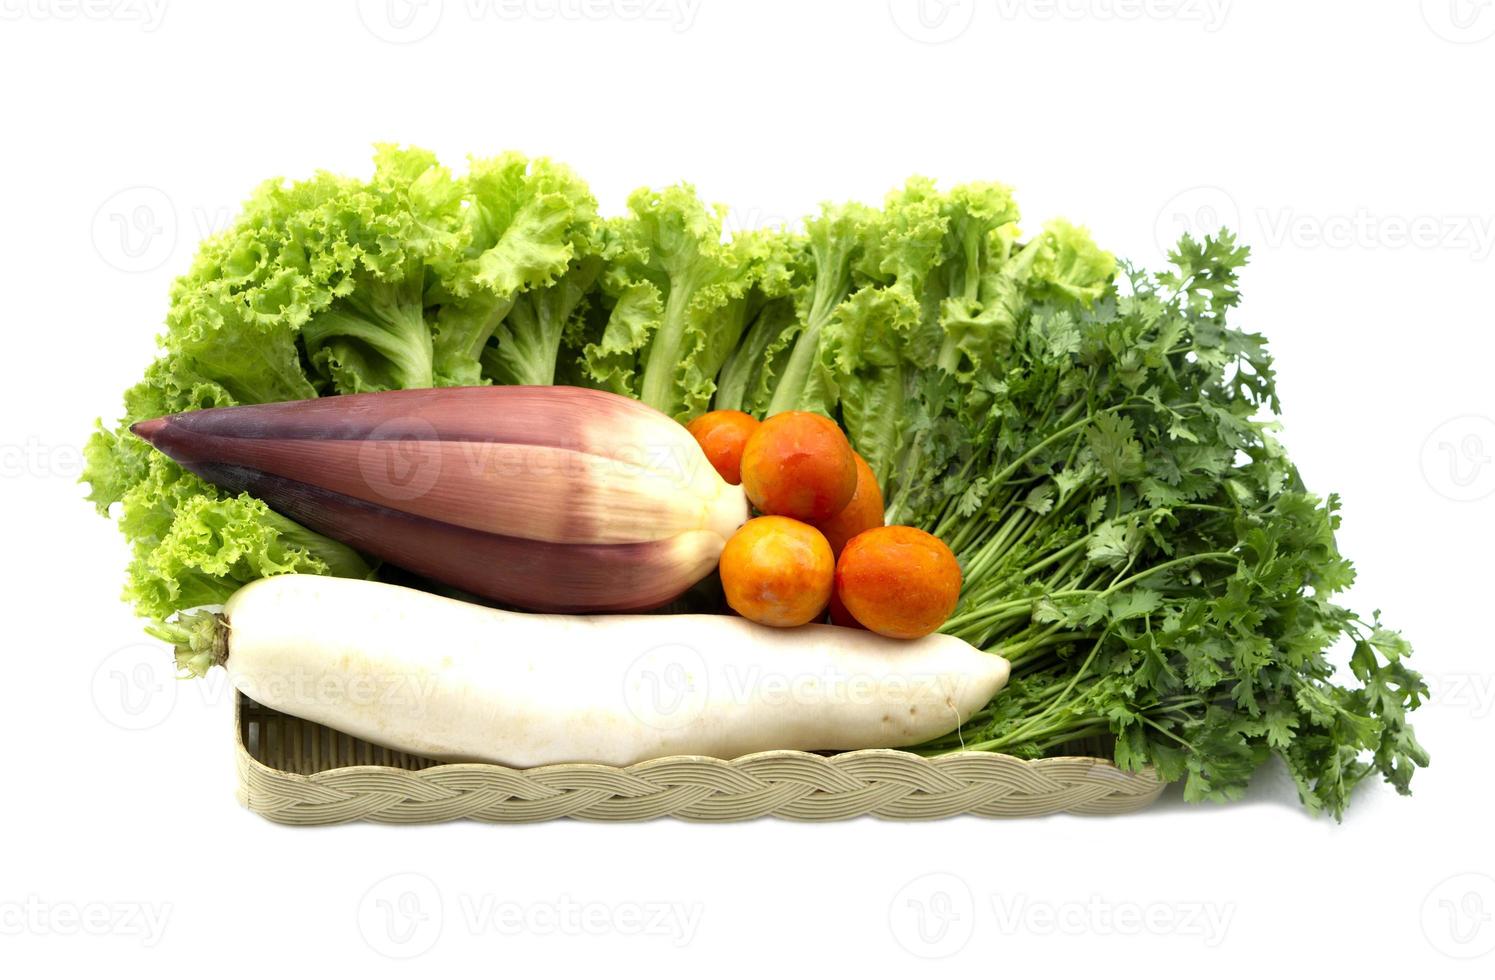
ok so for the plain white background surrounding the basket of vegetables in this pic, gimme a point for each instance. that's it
(1351, 146)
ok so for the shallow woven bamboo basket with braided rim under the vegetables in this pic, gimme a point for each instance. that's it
(300, 773)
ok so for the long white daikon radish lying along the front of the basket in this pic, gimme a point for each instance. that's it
(460, 682)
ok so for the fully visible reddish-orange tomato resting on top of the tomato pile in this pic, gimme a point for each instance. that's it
(799, 465)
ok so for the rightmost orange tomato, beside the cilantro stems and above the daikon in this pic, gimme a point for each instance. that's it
(899, 582)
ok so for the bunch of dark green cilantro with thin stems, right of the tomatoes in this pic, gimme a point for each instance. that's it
(1144, 552)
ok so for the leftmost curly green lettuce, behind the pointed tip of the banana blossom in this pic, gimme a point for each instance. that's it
(316, 288)
